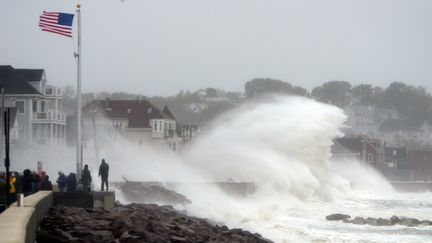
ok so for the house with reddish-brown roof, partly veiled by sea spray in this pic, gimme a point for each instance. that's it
(138, 121)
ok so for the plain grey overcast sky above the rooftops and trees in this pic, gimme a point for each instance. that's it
(157, 47)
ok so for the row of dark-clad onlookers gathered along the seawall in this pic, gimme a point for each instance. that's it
(31, 182)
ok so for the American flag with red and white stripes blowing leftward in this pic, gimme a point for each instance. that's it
(58, 23)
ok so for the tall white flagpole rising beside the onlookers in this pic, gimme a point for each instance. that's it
(79, 107)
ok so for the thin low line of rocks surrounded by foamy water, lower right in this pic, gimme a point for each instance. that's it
(394, 220)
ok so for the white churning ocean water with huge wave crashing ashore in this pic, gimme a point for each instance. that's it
(283, 146)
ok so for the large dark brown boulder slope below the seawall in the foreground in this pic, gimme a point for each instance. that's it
(135, 223)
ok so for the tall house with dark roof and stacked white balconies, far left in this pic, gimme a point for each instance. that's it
(39, 118)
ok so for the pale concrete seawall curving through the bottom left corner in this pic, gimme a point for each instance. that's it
(19, 224)
